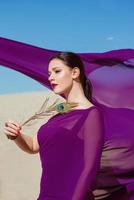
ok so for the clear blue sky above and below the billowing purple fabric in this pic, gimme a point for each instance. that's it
(71, 25)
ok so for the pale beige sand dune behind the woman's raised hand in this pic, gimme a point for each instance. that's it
(19, 171)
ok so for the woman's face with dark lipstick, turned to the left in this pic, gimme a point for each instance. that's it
(61, 75)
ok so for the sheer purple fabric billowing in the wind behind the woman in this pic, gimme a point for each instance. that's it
(112, 77)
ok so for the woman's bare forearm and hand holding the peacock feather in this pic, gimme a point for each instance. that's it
(26, 143)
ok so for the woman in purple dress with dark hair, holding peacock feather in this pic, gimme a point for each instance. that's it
(70, 143)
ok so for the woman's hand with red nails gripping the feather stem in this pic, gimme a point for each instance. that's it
(12, 130)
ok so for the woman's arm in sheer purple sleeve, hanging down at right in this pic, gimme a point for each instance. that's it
(93, 136)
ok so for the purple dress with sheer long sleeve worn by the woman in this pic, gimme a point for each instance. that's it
(70, 152)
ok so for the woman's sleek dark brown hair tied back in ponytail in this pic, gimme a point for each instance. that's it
(73, 60)
